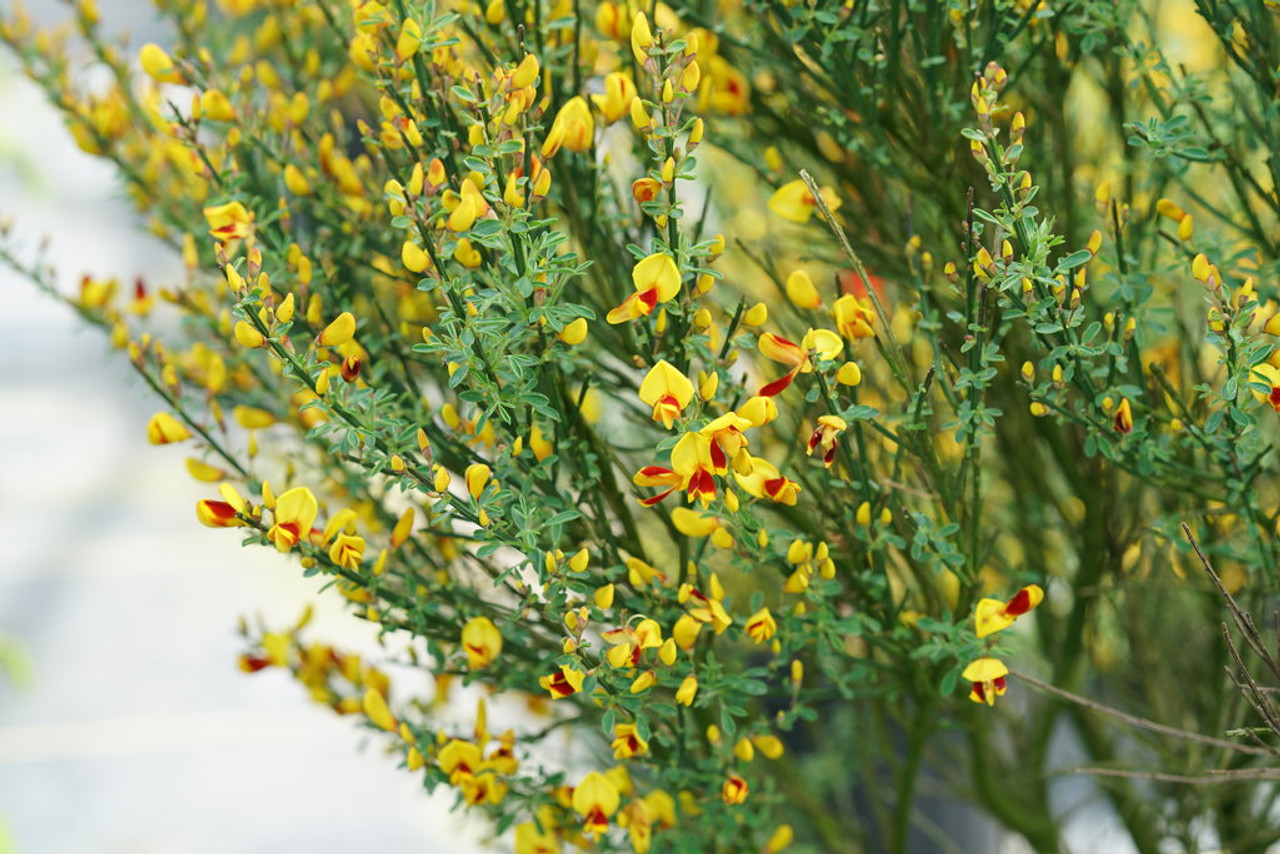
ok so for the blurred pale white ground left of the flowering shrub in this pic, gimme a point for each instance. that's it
(138, 733)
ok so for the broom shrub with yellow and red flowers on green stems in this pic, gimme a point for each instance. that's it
(743, 396)
